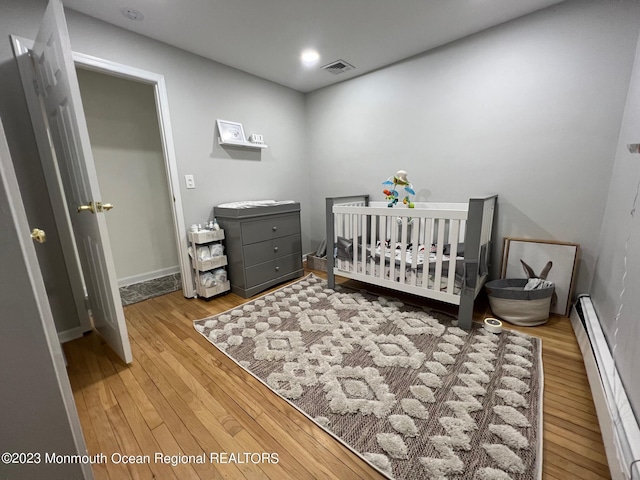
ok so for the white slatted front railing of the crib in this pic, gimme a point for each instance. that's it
(385, 245)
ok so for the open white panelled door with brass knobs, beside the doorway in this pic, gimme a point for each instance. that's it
(60, 99)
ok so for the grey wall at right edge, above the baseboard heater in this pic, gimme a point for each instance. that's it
(616, 287)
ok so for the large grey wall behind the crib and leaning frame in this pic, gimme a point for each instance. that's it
(529, 110)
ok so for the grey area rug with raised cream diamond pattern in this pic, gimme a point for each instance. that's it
(414, 395)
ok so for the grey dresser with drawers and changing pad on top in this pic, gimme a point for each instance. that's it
(263, 245)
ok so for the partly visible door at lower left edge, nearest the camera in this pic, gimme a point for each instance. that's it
(36, 390)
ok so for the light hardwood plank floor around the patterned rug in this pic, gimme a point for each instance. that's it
(181, 396)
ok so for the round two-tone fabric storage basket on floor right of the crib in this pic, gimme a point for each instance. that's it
(511, 302)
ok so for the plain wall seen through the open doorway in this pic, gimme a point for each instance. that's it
(127, 150)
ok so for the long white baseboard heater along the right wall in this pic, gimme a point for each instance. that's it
(620, 430)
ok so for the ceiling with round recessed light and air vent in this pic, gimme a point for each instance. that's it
(266, 37)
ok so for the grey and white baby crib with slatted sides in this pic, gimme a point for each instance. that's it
(435, 250)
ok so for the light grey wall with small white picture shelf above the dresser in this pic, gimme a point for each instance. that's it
(200, 91)
